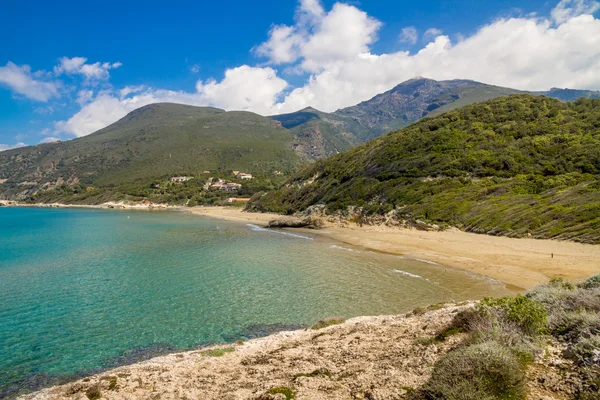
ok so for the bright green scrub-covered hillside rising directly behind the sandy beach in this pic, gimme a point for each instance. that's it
(519, 165)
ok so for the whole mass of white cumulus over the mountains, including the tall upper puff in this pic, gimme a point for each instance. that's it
(332, 50)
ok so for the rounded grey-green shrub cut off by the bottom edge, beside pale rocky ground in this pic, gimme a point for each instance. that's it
(485, 371)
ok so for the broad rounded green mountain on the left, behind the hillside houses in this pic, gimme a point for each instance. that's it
(159, 140)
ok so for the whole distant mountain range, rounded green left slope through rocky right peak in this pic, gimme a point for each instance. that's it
(162, 140)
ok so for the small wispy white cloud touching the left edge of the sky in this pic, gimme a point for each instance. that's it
(21, 80)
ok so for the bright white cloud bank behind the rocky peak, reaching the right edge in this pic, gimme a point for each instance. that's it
(512, 52)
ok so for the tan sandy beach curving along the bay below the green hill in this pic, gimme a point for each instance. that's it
(519, 263)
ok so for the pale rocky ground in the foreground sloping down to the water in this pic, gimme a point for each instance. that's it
(377, 358)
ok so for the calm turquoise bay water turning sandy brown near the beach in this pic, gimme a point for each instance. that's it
(82, 290)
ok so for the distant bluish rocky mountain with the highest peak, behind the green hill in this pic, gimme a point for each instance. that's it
(401, 106)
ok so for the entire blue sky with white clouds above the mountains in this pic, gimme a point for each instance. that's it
(67, 71)
